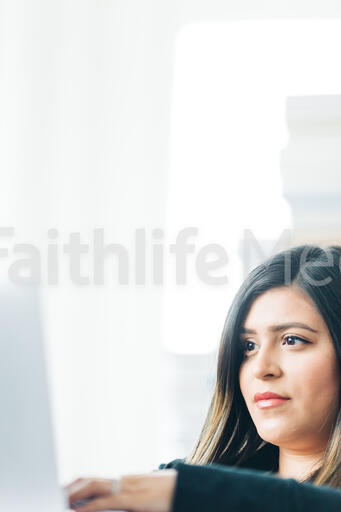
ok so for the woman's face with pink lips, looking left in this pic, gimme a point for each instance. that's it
(295, 361)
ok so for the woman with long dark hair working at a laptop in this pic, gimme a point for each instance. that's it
(282, 336)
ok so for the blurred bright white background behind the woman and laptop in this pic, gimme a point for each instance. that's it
(127, 115)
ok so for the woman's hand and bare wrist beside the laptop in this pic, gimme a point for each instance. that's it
(149, 492)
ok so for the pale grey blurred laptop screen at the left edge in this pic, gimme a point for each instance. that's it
(28, 471)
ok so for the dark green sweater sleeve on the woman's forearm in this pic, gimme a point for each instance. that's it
(229, 489)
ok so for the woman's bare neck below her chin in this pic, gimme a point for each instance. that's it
(298, 464)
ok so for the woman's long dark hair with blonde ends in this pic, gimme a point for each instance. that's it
(229, 436)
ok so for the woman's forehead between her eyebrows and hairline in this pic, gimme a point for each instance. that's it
(282, 304)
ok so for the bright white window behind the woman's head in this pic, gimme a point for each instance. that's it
(231, 81)
